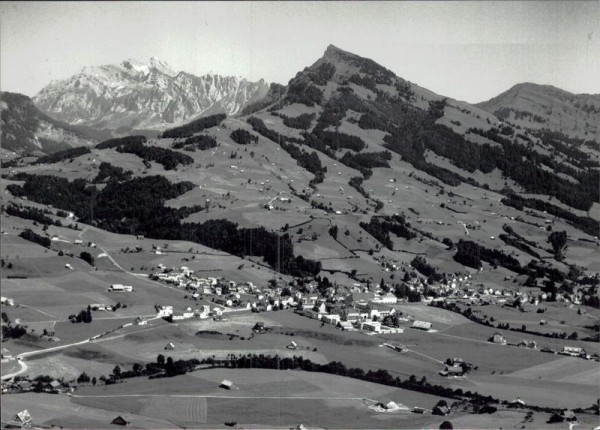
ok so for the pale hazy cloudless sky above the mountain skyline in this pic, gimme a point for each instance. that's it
(466, 50)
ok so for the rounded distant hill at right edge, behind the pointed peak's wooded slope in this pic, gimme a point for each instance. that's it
(546, 107)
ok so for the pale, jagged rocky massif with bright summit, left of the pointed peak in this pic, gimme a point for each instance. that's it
(151, 96)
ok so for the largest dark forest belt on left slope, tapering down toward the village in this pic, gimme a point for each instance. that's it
(137, 207)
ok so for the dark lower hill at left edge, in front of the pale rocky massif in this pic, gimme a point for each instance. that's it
(26, 130)
